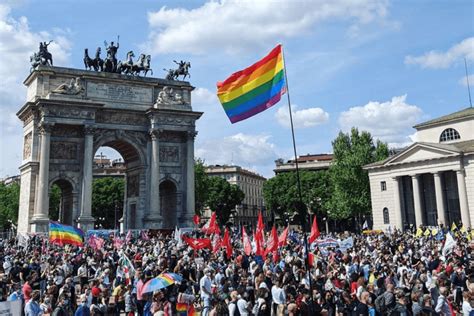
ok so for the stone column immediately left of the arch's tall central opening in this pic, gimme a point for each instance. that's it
(85, 220)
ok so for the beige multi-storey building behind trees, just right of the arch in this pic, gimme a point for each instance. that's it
(252, 186)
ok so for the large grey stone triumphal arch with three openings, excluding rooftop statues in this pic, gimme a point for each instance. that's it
(70, 113)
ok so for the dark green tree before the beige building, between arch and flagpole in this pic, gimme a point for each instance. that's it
(223, 197)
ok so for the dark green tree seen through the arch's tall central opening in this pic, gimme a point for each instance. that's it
(107, 195)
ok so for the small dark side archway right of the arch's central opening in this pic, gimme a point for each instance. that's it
(169, 202)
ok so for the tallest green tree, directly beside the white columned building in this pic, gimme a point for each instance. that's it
(350, 182)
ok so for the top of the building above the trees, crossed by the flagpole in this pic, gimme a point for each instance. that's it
(306, 162)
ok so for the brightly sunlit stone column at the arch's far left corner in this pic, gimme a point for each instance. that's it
(40, 218)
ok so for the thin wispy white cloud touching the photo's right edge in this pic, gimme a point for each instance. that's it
(437, 60)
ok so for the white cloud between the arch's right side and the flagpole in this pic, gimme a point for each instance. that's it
(241, 149)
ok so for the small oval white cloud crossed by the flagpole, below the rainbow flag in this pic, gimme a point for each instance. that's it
(301, 118)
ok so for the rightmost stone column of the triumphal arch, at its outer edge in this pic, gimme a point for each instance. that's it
(190, 196)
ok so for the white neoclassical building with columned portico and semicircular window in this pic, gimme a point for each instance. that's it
(430, 182)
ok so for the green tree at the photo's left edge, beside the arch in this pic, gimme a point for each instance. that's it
(9, 204)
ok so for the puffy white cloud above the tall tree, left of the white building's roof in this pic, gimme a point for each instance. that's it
(389, 121)
